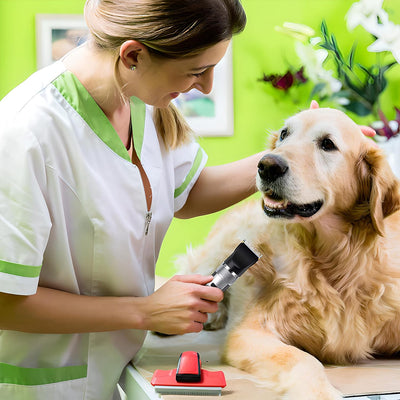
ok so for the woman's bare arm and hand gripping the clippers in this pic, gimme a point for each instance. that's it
(180, 306)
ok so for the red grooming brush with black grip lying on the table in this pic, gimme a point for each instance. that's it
(188, 378)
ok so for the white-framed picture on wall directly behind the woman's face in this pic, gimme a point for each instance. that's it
(212, 114)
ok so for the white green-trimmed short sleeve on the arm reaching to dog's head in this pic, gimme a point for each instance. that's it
(189, 161)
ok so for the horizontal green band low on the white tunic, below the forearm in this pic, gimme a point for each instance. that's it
(40, 376)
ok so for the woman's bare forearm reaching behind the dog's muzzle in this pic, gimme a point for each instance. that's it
(221, 186)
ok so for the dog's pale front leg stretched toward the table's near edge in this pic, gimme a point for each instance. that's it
(291, 373)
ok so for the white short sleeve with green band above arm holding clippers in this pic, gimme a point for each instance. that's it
(24, 217)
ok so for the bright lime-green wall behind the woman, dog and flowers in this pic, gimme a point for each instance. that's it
(257, 108)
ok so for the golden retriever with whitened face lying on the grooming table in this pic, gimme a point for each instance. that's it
(327, 286)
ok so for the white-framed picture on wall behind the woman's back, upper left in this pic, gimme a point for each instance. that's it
(56, 34)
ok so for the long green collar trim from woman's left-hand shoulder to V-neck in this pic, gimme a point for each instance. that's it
(79, 98)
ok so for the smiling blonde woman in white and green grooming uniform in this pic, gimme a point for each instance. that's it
(95, 164)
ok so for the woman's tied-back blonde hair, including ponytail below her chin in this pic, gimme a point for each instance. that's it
(169, 29)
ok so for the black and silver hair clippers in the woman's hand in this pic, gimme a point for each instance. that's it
(234, 266)
